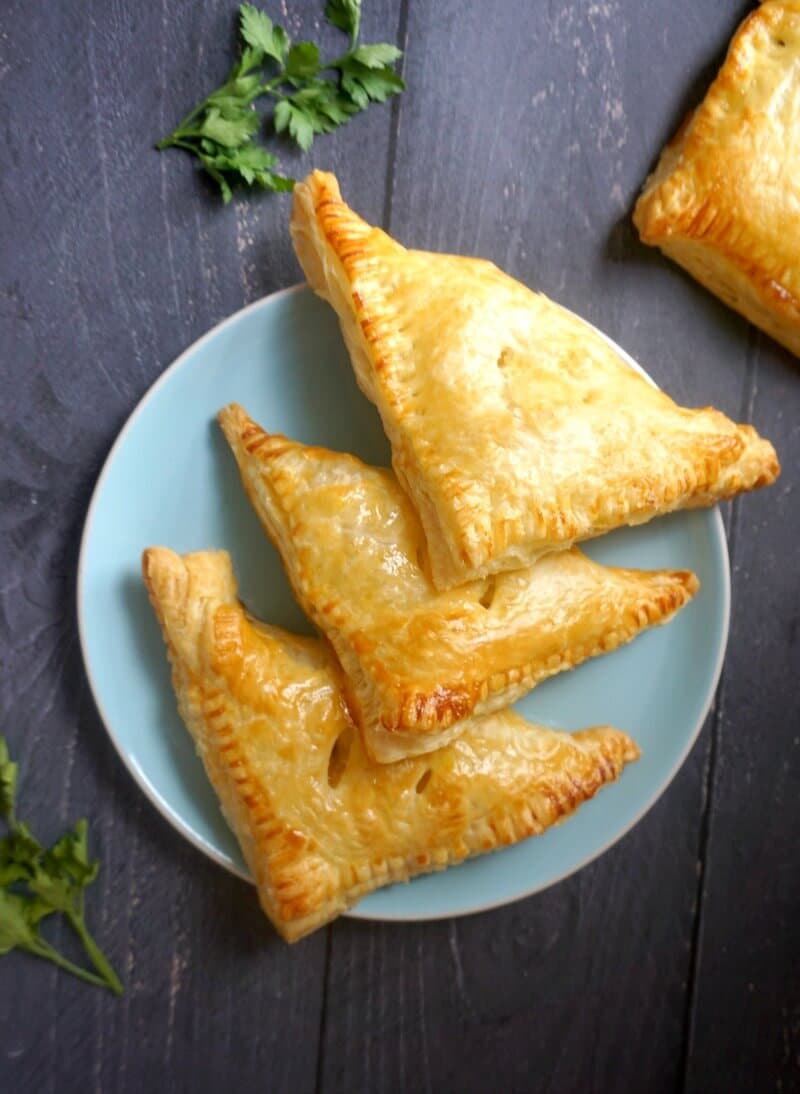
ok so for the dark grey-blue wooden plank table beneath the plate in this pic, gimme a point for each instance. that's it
(528, 127)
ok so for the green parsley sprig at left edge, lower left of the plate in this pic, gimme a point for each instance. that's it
(37, 882)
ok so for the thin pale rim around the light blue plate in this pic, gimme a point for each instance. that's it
(177, 820)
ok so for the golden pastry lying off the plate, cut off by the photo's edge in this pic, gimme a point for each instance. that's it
(725, 199)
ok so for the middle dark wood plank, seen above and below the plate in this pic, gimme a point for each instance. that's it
(532, 157)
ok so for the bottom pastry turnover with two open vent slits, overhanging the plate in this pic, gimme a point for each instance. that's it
(319, 824)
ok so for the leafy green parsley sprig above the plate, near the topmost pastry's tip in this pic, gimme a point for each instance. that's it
(311, 97)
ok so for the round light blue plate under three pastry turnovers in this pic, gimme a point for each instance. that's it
(170, 481)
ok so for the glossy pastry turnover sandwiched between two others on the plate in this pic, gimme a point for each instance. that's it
(419, 662)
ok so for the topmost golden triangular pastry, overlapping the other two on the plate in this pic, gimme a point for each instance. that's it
(516, 428)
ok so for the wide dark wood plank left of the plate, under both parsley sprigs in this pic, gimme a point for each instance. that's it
(114, 259)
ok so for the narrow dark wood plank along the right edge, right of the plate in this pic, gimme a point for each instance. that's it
(746, 1020)
